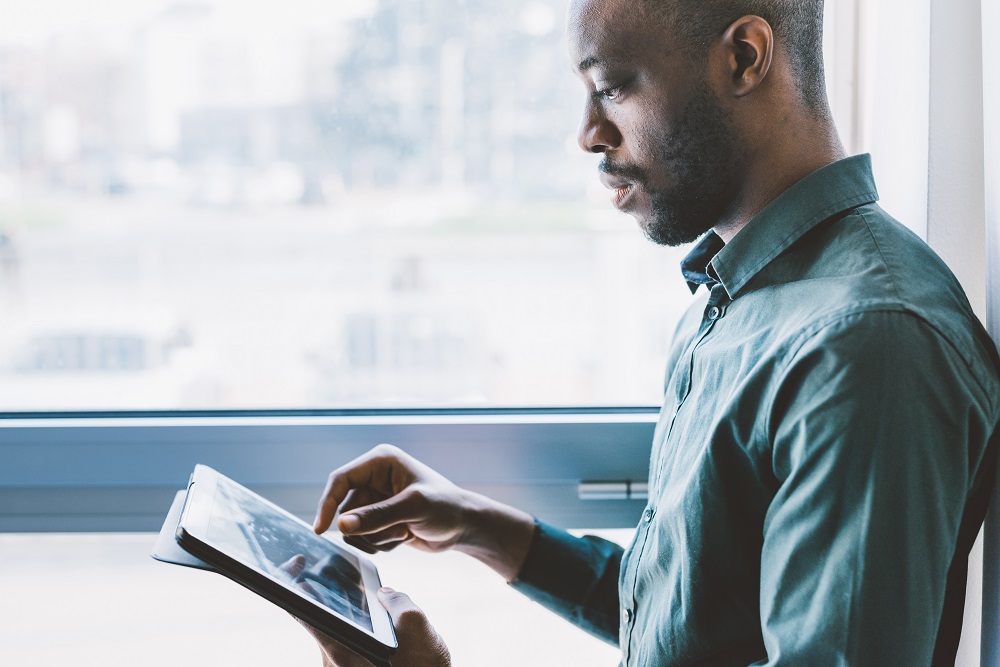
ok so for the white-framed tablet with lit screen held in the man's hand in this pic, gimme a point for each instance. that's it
(330, 586)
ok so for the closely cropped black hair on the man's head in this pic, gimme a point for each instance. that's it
(797, 25)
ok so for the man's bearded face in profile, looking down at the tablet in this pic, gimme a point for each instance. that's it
(668, 144)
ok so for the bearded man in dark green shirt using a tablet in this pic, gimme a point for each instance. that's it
(826, 446)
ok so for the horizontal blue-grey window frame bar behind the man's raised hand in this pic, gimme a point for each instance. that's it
(115, 472)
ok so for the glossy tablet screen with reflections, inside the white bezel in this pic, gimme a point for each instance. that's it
(252, 532)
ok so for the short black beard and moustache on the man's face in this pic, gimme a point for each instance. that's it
(698, 157)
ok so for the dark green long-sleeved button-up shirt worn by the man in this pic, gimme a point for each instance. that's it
(822, 460)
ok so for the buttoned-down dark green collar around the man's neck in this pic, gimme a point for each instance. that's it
(833, 189)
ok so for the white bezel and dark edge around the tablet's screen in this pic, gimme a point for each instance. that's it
(192, 535)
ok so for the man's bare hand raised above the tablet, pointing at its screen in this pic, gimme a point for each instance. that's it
(386, 498)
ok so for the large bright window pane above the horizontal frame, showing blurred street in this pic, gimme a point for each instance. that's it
(216, 204)
